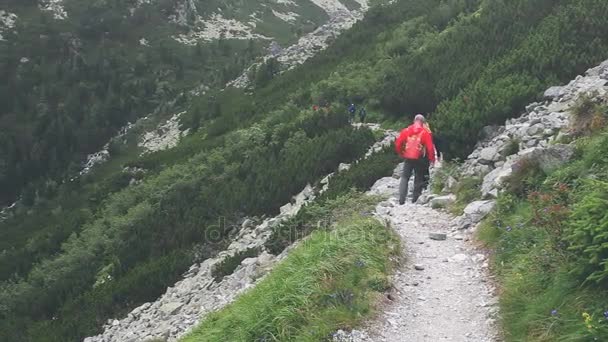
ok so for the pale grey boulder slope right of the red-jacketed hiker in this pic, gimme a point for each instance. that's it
(533, 134)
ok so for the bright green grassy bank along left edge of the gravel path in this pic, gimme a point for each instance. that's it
(330, 281)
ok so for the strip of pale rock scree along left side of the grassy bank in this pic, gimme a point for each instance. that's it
(184, 305)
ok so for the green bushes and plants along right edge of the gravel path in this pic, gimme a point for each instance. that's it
(549, 236)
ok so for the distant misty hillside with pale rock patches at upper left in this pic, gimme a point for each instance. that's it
(77, 73)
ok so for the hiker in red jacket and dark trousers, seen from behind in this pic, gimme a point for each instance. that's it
(414, 144)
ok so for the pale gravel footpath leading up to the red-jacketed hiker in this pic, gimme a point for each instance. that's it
(442, 292)
